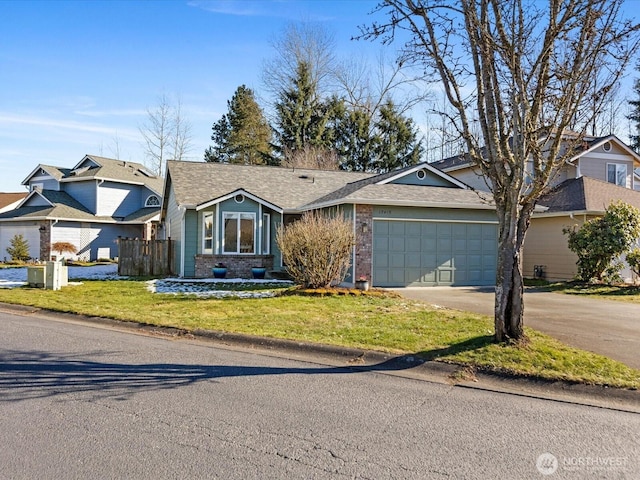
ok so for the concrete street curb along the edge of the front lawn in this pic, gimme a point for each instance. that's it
(409, 366)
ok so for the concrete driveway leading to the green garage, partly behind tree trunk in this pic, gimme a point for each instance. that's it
(609, 328)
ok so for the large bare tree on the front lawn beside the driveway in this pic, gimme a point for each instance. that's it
(524, 71)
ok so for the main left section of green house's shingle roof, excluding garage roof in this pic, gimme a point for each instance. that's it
(195, 183)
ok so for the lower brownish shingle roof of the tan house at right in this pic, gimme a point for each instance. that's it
(587, 194)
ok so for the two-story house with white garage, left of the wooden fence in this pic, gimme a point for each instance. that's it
(89, 206)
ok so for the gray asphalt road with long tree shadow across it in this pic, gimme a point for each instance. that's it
(79, 401)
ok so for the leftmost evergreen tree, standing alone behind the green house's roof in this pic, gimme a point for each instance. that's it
(242, 135)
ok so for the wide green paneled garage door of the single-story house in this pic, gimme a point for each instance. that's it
(419, 253)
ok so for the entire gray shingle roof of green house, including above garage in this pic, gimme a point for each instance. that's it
(196, 183)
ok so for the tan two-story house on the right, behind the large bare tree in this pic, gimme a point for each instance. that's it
(603, 171)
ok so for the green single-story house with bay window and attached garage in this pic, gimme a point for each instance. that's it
(416, 226)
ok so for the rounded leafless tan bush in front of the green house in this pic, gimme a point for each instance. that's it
(317, 249)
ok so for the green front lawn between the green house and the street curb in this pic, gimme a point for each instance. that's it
(376, 322)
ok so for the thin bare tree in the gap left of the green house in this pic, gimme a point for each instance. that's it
(166, 134)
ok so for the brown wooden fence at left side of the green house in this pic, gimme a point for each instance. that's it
(145, 258)
